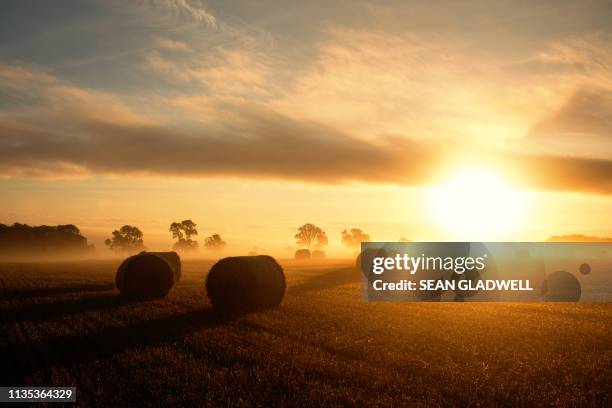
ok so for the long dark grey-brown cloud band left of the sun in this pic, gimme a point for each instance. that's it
(263, 145)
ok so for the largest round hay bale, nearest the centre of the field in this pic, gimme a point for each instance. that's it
(246, 283)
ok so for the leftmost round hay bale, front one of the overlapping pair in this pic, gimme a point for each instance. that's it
(144, 276)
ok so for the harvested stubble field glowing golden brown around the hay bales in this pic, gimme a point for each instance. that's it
(64, 324)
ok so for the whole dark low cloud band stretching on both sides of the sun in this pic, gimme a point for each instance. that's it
(261, 144)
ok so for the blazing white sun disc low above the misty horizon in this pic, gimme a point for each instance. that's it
(477, 205)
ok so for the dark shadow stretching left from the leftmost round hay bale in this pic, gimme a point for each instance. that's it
(45, 311)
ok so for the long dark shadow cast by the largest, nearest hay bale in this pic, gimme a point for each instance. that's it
(71, 350)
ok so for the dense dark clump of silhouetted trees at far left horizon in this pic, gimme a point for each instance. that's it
(43, 240)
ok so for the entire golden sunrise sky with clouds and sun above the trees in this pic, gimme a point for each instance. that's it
(471, 120)
